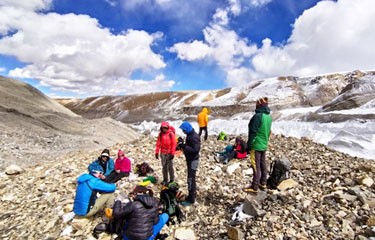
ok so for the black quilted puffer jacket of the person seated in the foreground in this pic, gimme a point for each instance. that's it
(141, 215)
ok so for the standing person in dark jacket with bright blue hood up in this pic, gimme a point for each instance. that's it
(191, 150)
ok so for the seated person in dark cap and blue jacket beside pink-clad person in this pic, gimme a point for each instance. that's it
(104, 165)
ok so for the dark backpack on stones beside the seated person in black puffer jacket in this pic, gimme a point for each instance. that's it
(169, 201)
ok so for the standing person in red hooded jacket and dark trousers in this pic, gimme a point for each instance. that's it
(166, 146)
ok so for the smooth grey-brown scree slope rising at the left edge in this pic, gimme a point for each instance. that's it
(34, 128)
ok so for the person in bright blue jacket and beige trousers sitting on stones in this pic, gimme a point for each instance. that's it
(86, 202)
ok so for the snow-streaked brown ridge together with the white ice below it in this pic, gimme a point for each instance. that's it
(334, 109)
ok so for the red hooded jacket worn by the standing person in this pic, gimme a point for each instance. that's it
(166, 142)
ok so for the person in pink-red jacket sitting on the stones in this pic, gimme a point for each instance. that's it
(122, 168)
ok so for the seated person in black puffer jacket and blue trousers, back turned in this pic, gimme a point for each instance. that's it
(141, 215)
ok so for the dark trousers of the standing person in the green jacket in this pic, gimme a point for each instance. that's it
(258, 163)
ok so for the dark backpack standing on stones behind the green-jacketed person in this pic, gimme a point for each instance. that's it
(279, 171)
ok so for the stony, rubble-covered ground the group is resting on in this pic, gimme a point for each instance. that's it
(334, 197)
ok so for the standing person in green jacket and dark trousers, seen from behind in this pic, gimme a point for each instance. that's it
(257, 144)
